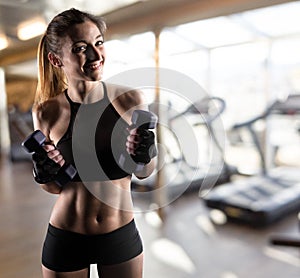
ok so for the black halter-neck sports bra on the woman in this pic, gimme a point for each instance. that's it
(101, 120)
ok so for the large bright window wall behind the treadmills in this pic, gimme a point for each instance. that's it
(249, 59)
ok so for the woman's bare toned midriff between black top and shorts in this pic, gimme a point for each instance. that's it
(93, 207)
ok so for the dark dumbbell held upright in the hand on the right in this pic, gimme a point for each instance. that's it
(143, 120)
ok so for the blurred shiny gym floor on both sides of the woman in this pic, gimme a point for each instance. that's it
(186, 244)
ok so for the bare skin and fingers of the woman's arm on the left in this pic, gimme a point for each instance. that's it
(42, 123)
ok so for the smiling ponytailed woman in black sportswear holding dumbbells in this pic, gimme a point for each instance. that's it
(87, 228)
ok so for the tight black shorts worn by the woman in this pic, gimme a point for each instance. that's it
(65, 251)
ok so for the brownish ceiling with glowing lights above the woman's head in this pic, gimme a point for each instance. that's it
(122, 16)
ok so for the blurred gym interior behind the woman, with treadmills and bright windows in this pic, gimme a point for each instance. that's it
(225, 83)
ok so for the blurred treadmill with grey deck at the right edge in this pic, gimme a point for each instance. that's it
(264, 198)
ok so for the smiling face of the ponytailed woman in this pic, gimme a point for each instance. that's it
(83, 53)
